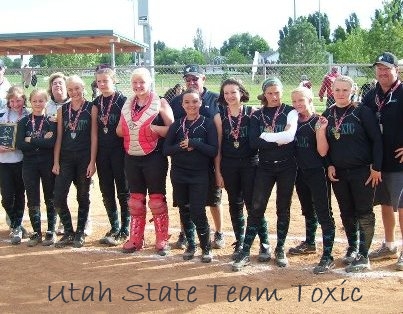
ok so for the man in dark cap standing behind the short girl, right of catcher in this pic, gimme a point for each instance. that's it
(194, 77)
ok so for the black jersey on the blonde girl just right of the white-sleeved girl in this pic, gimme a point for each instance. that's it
(306, 146)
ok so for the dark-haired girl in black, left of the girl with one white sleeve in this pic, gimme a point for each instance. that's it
(239, 161)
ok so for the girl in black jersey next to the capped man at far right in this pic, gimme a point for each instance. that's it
(354, 143)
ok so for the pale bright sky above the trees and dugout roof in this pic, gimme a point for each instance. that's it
(175, 21)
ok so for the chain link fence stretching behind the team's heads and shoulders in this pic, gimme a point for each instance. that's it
(167, 77)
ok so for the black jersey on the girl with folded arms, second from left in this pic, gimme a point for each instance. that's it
(38, 146)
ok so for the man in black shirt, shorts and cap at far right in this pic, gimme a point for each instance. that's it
(386, 100)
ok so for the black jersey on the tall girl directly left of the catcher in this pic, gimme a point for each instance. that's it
(108, 119)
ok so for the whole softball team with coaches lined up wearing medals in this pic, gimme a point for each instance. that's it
(213, 141)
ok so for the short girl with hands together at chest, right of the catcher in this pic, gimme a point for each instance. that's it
(191, 142)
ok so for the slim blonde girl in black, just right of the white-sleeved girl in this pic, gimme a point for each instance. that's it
(312, 184)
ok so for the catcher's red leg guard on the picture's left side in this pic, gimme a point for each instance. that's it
(137, 208)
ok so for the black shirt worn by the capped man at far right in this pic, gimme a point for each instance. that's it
(391, 119)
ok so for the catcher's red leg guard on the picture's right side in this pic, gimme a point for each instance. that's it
(159, 208)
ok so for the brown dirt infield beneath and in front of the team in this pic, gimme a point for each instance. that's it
(97, 279)
